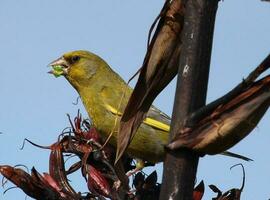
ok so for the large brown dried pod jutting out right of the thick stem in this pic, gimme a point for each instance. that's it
(229, 123)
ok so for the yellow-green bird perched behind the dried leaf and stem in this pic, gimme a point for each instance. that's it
(105, 94)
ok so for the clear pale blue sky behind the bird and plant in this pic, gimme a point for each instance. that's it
(34, 104)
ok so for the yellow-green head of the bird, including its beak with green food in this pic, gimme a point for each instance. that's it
(78, 67)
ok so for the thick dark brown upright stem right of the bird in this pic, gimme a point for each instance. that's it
(180, 166)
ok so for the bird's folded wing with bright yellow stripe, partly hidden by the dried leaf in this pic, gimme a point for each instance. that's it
(154, 118)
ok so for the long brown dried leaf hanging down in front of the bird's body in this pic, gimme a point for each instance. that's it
(159, 68)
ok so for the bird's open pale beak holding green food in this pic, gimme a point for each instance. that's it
(59, 67)
